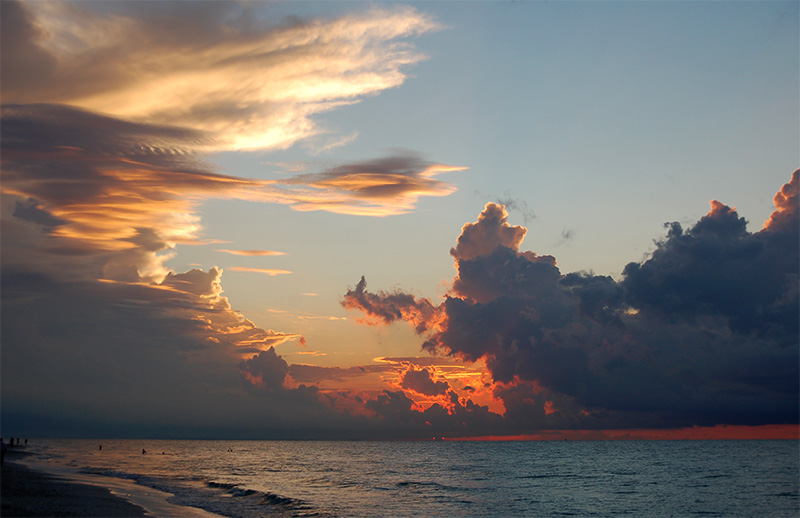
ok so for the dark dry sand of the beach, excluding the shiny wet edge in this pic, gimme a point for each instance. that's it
(25, 492)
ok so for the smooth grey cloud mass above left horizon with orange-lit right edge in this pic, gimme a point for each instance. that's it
(116, 350)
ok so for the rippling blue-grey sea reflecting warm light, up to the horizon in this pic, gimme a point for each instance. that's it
(448, 479)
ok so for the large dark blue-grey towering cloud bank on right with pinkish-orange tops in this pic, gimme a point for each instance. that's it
(703, 332)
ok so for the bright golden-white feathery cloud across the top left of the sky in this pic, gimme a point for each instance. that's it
(213, 69)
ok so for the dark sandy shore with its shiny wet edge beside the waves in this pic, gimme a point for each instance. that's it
(27, 489)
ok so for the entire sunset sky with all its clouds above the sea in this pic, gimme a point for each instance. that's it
(380, 220)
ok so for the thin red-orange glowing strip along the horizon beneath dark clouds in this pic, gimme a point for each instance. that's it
(696, 433)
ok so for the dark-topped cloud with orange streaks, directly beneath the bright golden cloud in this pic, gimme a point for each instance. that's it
(123, 194)
